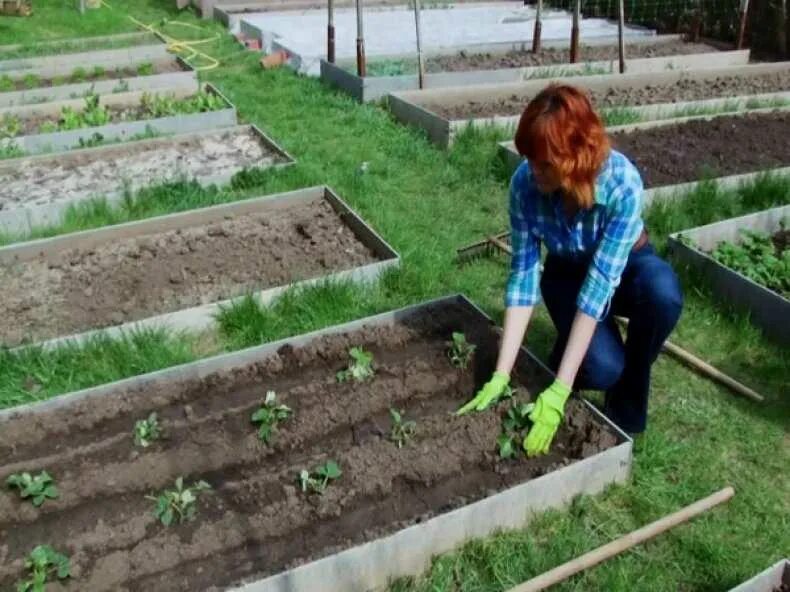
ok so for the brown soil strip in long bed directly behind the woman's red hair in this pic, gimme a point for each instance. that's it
(684, 90)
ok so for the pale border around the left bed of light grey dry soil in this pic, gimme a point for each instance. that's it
(24, 219)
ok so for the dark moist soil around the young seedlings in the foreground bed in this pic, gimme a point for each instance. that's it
(256, 521)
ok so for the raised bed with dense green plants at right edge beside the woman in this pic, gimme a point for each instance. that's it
(733, 268)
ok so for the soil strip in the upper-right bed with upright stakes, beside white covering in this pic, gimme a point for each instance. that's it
(464, 61)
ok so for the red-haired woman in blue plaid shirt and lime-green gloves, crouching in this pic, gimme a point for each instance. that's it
(582, 200)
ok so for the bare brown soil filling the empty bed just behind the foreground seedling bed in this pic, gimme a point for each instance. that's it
(131, 279)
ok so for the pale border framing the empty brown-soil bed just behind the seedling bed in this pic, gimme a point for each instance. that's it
(201, 318)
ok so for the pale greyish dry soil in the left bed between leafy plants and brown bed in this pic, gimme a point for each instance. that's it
(74, 176)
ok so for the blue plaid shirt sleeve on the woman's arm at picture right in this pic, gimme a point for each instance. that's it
(623, 227)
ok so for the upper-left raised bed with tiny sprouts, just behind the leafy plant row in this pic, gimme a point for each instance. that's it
(22, 89)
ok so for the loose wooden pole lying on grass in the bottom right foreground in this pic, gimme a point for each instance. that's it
(566, 570)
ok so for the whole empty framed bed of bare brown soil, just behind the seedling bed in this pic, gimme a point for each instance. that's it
(143, 270)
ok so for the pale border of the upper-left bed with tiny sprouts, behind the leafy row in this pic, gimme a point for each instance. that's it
(154, 82)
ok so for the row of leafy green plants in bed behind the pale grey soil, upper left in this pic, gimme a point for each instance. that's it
(94, 114)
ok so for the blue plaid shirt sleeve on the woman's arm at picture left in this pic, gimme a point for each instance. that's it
(523, 287)
